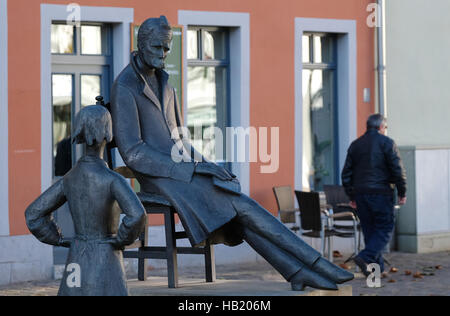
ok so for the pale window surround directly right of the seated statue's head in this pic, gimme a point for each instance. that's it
(239, 25)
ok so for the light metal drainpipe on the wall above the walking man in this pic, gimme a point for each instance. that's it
(381, 32)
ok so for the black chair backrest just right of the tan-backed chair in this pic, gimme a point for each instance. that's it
(310, 212)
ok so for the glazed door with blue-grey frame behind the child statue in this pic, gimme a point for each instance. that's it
(81, 71)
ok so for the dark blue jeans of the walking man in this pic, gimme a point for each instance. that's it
(376, 213)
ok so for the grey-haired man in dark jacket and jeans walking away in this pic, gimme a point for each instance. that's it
(372, 168)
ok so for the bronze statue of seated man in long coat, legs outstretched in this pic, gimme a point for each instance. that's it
(146, 122)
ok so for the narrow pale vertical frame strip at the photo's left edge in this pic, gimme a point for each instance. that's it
(4, 147)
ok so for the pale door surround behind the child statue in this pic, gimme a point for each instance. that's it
(121, 19)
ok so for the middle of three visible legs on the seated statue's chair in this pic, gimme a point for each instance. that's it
(171, 249)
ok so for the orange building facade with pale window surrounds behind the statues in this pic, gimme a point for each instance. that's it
(266, 88)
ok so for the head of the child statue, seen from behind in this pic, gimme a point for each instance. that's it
(93, 126)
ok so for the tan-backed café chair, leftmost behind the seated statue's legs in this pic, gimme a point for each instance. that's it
(287, 213)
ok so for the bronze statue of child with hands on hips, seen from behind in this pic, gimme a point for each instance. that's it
(95, 263)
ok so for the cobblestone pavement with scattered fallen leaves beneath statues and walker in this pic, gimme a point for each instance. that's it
(417, 275)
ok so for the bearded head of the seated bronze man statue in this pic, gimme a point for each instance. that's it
(154, 41)
